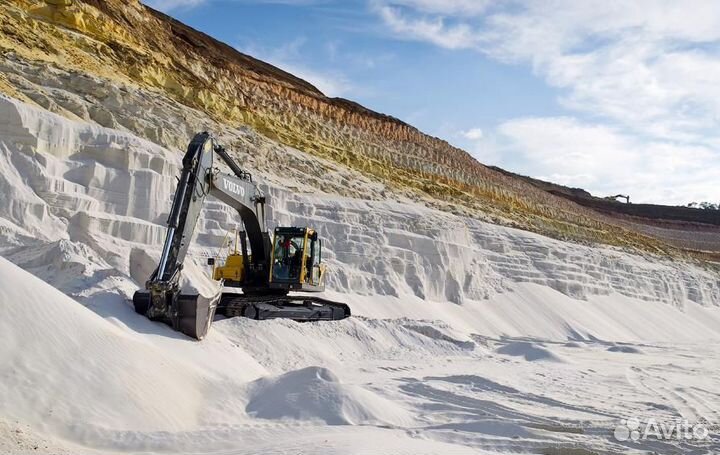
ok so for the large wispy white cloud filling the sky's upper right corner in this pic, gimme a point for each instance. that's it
(648, 65)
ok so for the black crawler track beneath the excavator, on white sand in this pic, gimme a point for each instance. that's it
(299, 308)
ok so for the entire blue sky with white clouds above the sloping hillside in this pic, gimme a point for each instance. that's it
(610, 96)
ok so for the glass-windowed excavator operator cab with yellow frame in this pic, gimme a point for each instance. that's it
(296, 262)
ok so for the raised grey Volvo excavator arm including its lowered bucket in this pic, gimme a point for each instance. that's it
(163, 301)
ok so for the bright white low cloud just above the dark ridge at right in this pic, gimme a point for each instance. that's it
(606, 161)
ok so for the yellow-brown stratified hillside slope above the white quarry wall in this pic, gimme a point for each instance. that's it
(124, 65)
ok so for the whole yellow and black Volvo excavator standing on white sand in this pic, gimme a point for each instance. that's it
(265, 269)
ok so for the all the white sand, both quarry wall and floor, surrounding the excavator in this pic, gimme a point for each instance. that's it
(468, 337)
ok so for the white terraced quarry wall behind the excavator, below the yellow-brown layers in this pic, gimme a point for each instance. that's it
(85, 209)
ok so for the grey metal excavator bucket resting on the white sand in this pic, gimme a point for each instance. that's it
(193, 315)
